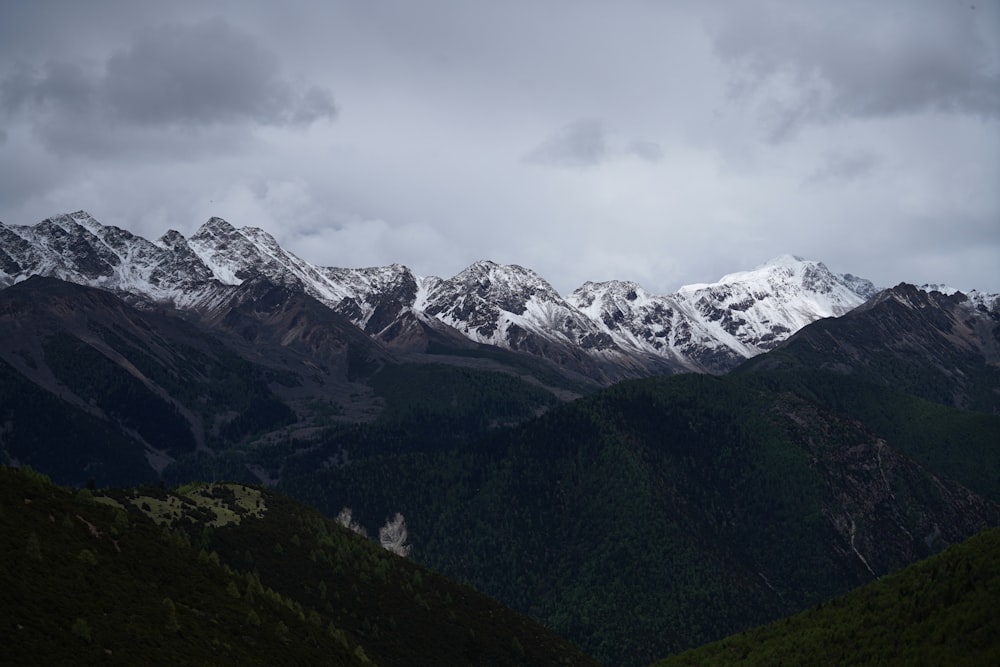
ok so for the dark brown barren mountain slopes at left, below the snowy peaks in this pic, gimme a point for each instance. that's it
(164, 386)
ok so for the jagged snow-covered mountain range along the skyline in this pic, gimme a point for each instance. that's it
(603, 331)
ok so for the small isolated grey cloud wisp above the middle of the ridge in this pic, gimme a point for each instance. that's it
(587, 143)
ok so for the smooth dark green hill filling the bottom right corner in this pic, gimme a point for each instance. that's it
(940, 611)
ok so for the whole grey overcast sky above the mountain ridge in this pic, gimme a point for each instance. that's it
(661, 142)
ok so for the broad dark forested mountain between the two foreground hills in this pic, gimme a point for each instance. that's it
(664, 513)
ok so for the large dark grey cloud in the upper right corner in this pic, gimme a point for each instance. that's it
(861, 61)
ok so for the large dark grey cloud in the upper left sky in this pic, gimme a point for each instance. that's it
(194, 76)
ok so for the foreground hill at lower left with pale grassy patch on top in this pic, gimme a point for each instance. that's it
(227, 574)
